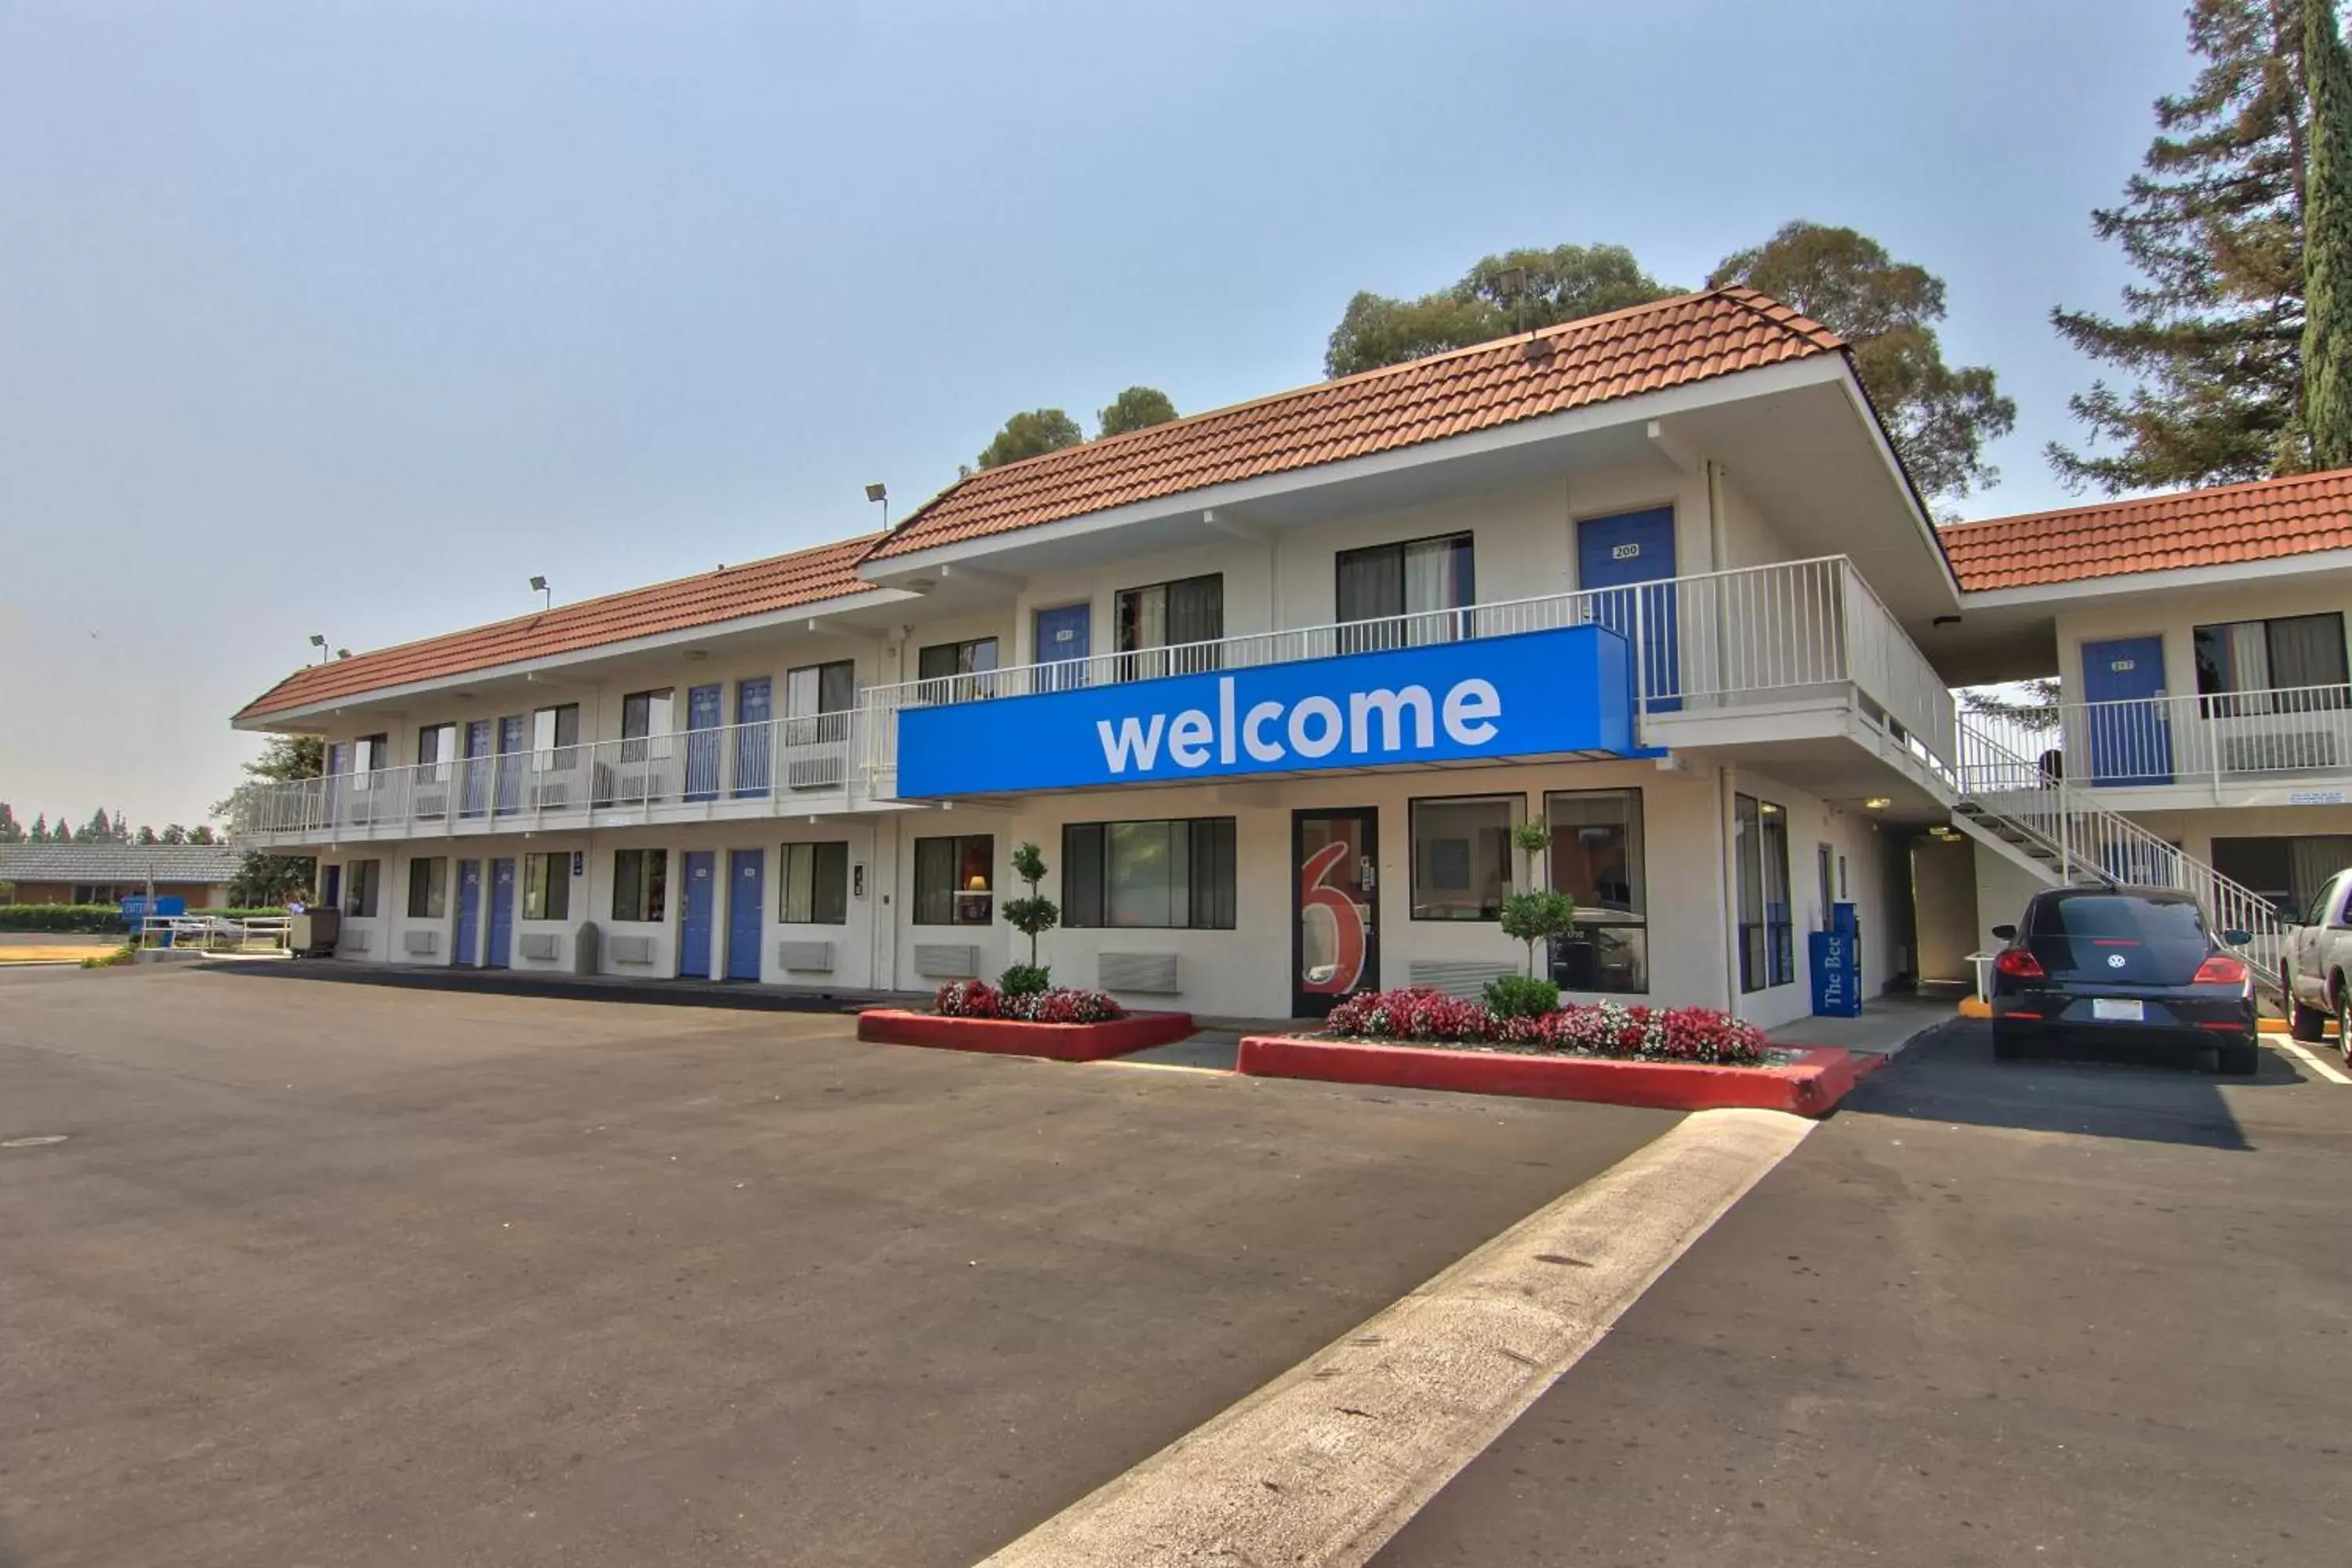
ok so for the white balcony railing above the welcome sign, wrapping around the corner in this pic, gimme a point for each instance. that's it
(1725, 638)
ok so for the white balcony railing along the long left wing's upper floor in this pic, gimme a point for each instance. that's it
(775, 760)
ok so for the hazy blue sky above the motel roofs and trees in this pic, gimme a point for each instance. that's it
(349, 319)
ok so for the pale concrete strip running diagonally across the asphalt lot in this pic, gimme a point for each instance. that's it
(1328, 1461)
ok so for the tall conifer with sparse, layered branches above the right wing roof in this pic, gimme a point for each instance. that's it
(2212, 335)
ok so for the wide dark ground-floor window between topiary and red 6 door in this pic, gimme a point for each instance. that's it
(1149, 876)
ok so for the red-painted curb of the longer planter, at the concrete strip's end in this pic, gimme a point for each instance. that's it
(1810, 1087)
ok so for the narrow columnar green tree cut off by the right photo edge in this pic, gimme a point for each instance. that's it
(2327, 241)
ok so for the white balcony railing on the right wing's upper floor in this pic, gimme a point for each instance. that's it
(2212, 739)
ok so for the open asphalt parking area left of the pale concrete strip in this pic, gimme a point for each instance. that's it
(352, 1275)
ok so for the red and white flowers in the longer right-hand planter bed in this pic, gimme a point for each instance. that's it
(1598, 1028)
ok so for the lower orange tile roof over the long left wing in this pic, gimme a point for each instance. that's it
(730, 594)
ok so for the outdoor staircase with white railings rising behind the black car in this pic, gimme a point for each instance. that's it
(2024, 812)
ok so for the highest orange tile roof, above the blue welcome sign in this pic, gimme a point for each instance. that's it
(1643, 349)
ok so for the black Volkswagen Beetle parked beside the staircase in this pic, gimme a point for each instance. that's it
(2109, 972)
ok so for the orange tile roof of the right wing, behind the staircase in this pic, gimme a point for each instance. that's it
(2193, 528)
